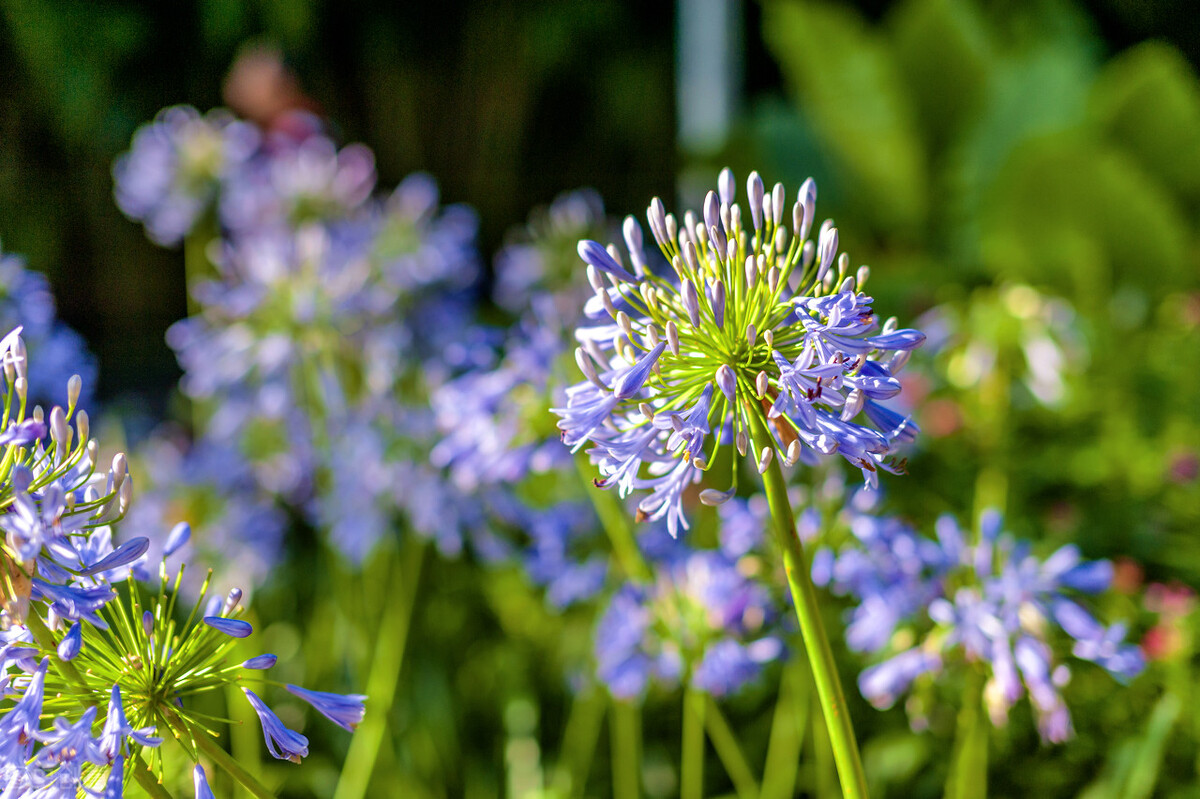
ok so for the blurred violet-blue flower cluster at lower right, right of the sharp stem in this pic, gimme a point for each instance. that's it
(993, 605)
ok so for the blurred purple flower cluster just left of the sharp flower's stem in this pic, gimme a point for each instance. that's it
(703, 622)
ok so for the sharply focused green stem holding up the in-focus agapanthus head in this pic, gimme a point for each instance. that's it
(808, 612)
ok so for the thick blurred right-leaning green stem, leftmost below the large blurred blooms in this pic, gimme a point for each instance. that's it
(385, 676)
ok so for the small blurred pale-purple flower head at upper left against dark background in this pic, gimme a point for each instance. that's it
(173, 172)
